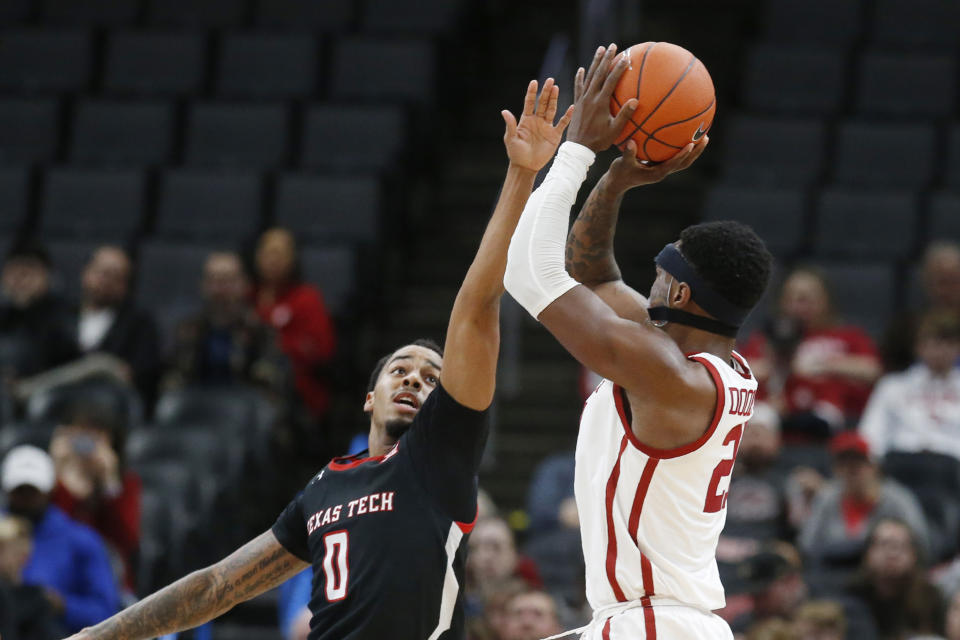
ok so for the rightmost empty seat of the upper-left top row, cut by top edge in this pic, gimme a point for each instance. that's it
(421, 17)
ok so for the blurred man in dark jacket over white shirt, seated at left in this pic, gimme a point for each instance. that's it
(108, 322)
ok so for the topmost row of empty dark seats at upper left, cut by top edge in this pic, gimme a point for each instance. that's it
(298, 15)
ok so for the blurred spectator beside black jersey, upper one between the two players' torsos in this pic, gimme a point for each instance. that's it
(493, 559)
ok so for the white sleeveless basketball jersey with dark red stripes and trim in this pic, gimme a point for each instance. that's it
(650, 518)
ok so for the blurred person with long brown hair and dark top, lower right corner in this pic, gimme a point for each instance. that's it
(892, 583)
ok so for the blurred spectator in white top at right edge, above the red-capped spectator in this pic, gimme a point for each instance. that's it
(919, 409)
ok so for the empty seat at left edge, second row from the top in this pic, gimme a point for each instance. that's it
(44, 60)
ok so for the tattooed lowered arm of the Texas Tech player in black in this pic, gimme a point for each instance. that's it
(203, 595)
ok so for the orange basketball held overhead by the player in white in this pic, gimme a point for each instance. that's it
(675, 95)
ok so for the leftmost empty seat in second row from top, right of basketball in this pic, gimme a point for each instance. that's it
(794, 79)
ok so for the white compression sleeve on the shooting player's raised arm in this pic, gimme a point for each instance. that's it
(536, 274)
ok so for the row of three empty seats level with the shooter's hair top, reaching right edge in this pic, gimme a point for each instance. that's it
(851, 224)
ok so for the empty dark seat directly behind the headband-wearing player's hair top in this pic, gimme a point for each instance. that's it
(777, 215)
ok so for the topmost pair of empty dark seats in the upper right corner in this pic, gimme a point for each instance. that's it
(907, 24)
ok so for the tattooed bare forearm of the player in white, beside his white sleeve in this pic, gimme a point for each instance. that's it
(589, 255)
